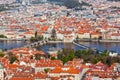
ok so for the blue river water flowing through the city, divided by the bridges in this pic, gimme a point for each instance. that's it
(97, 45)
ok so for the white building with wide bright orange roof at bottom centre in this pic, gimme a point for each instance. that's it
(65, 73)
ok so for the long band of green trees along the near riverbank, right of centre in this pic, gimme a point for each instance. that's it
(88, 56)
